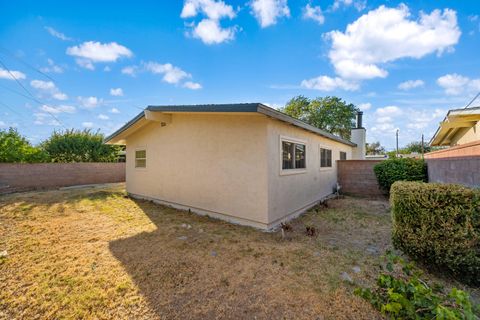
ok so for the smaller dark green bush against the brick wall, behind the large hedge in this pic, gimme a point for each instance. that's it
(400, 169)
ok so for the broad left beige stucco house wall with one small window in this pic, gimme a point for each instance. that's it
(214, 164)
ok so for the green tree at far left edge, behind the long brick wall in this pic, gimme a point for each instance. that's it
(16, 148)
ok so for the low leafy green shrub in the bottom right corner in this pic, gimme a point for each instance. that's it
(402, 294)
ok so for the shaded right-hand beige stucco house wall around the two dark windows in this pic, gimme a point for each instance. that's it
(290, 194)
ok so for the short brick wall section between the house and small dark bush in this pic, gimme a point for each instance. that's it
(357, 177)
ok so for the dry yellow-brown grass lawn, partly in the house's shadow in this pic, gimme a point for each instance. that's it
(97, 254)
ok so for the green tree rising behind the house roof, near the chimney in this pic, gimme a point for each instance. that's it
(331, 114)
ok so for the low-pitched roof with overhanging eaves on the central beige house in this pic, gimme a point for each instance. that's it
(140, 119)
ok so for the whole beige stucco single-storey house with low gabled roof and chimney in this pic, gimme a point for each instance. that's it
(245, 163)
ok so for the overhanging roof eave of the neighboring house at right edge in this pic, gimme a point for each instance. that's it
(455, 120)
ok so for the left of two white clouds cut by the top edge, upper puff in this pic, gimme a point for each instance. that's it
(214, 10)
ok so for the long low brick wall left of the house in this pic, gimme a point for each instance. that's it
(19, 176)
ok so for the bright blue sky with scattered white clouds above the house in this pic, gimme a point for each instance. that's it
(97, 64)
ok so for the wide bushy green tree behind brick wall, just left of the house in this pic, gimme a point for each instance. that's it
(79, 146)
